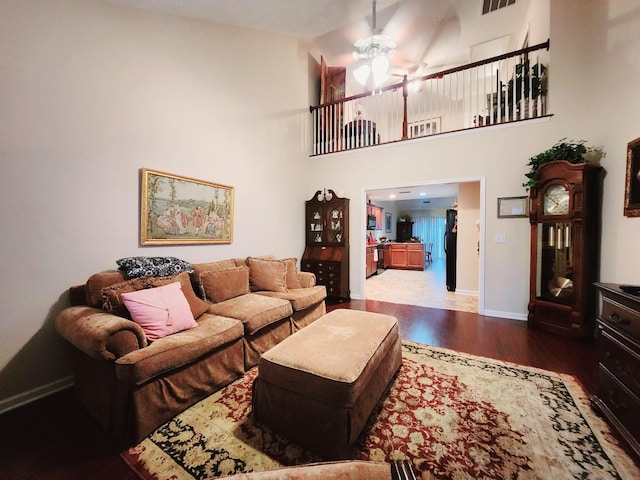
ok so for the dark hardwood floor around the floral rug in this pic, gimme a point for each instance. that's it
(54, 439)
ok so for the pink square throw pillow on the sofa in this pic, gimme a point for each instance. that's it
(160, 311)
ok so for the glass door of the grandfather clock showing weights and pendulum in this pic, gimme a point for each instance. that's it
(554, 272)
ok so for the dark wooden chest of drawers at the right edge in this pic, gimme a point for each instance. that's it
(618, 347)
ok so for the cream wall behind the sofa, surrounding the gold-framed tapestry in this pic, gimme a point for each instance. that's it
(90, 93)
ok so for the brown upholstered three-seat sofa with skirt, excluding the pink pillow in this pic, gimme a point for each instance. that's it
(132, 385)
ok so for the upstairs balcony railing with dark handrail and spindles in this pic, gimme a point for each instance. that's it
(502, 89)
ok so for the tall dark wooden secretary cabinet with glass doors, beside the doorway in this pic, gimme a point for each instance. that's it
(326, 253)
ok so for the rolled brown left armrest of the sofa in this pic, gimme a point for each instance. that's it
(92, 330)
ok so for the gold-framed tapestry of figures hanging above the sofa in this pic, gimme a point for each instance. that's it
(176, 210)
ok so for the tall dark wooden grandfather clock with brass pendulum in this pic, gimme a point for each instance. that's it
(565, 207)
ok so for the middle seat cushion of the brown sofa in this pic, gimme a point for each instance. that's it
(254, 311)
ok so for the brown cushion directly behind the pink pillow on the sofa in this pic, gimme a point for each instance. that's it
(112, 301)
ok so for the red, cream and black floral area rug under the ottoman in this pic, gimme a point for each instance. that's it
(454, 416)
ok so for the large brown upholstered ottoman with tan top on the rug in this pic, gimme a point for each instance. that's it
(319, 386)
